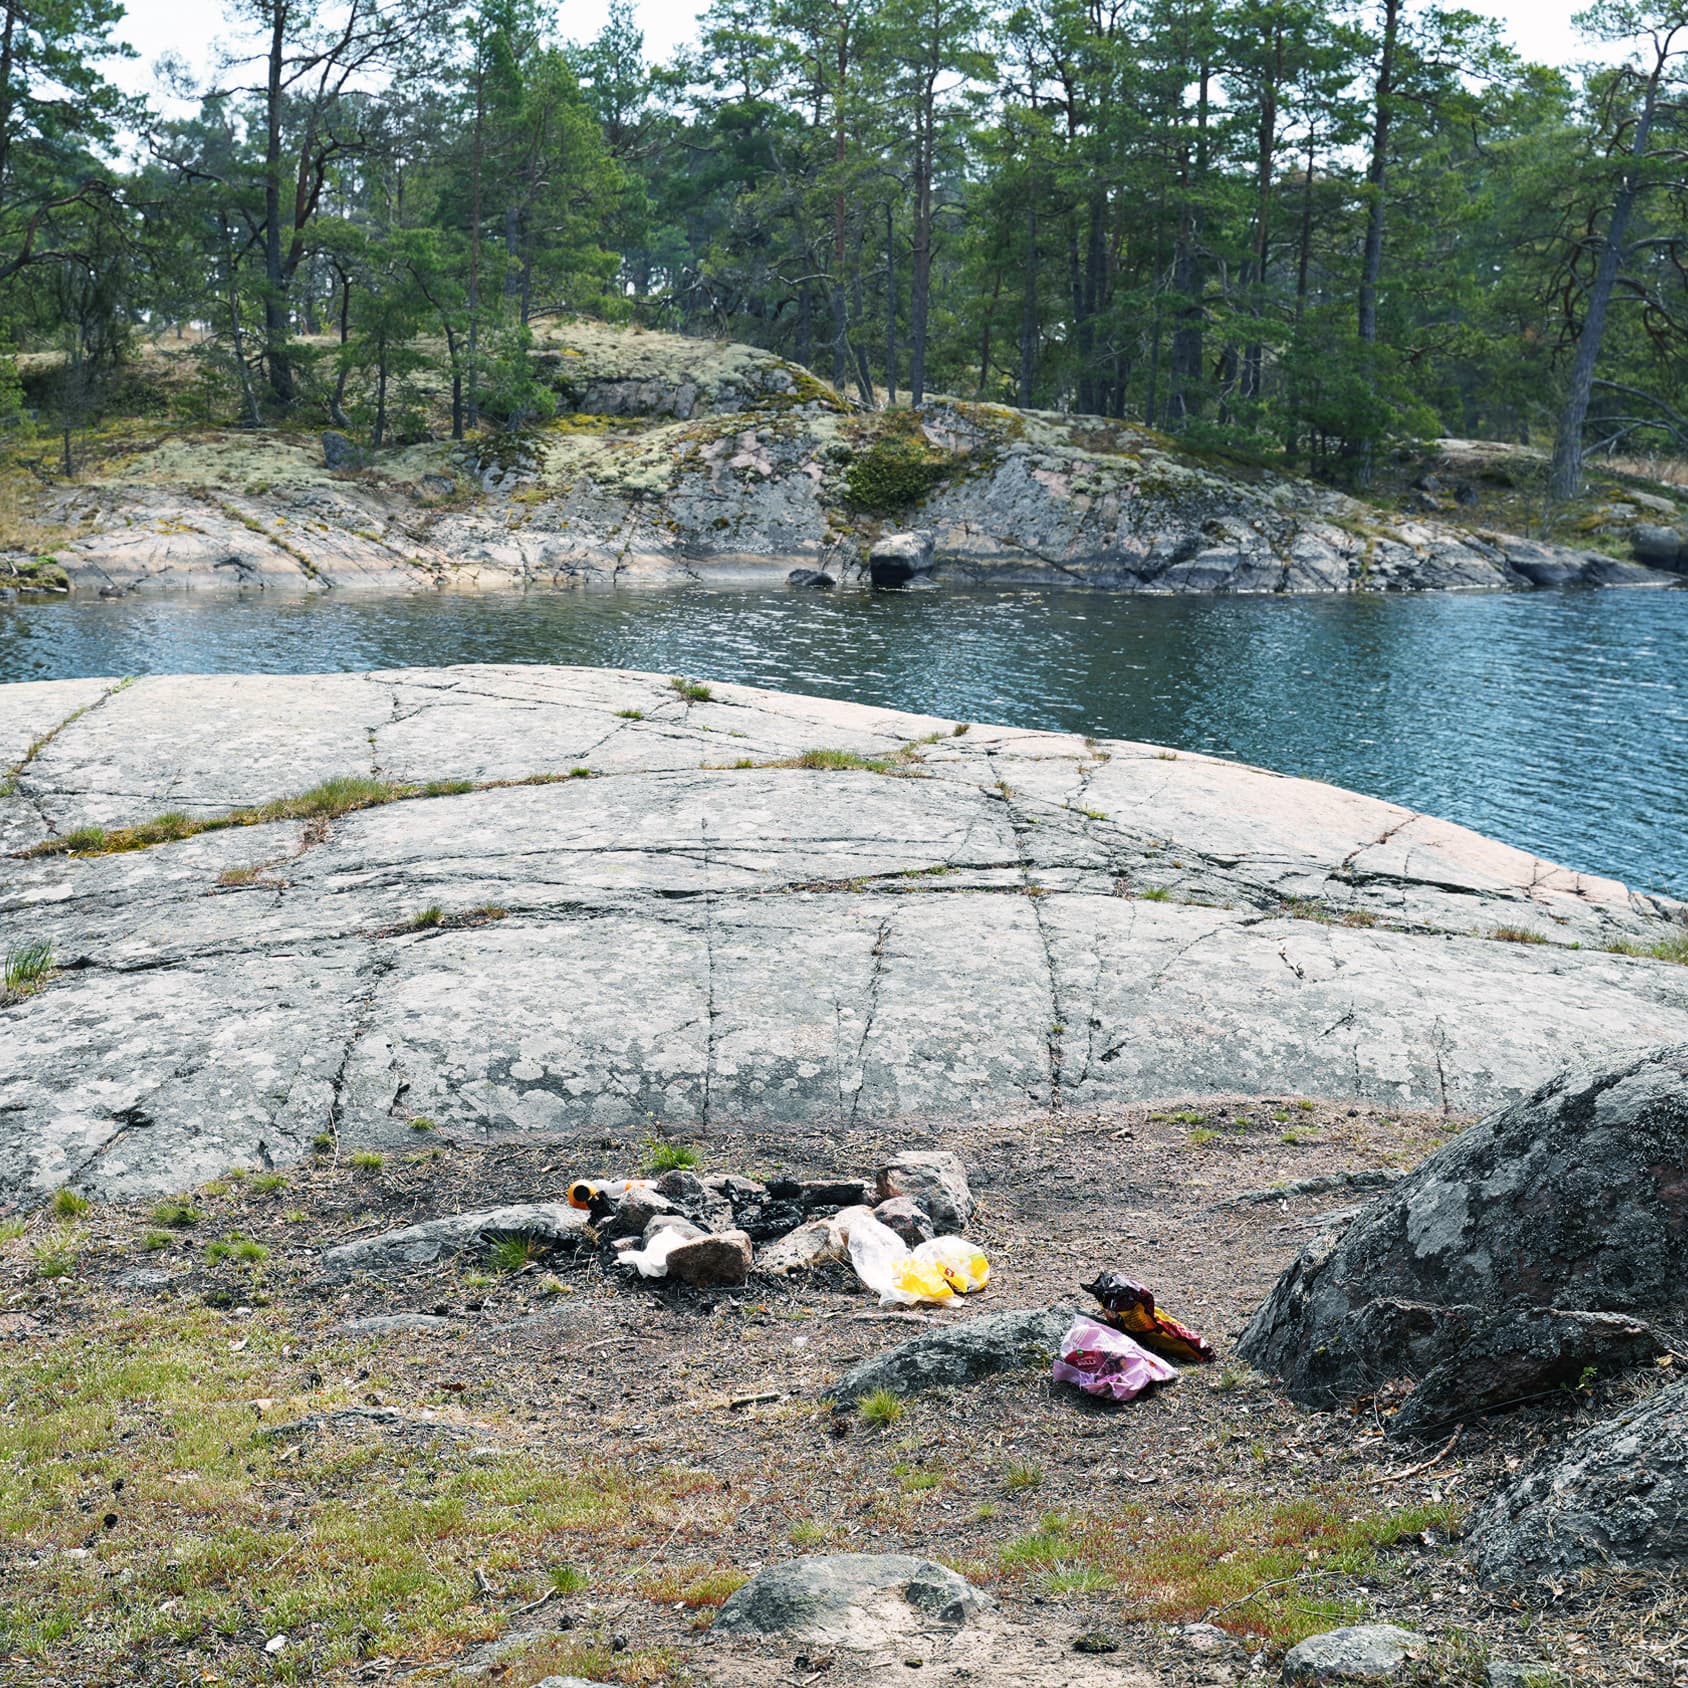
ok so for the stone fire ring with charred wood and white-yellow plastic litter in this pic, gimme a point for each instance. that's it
(901, 1231)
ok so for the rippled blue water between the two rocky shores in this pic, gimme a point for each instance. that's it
(1555, 722)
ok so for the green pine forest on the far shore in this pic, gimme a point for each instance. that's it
(1279, 227)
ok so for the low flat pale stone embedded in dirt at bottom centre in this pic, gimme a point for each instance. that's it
(852, 1599)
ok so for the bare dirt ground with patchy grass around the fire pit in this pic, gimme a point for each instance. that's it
(627, 1454)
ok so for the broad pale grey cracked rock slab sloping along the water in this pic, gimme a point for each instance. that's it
(713, 934)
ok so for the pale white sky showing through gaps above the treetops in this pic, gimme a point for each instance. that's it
(1540, 30)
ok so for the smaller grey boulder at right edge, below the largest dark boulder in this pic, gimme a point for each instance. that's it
(1616, 1496)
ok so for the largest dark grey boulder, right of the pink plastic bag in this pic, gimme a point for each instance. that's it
(1549, 1238)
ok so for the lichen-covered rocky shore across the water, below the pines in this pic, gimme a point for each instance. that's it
(673, 460)
